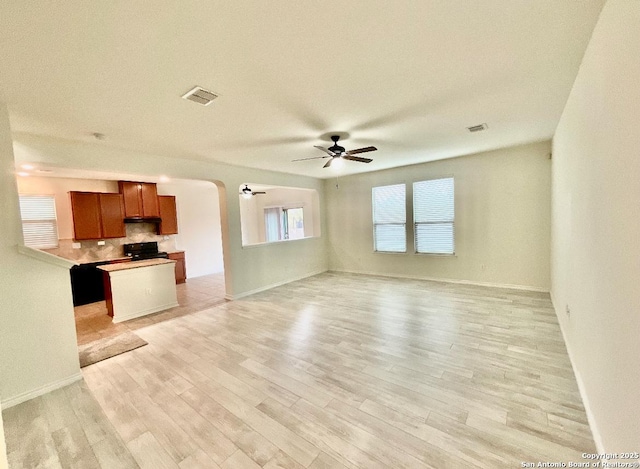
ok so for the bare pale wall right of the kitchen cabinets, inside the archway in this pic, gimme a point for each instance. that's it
(199, 228)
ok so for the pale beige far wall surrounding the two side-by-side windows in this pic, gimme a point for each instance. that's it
(502, 220)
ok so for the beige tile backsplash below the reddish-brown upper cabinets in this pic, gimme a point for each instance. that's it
(112, 249)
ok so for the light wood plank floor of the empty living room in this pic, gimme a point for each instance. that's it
(334, 371)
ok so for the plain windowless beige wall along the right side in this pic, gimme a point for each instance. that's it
(596, 227)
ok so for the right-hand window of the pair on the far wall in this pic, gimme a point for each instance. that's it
(433, 215)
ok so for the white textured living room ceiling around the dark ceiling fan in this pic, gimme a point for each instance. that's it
(407, 77)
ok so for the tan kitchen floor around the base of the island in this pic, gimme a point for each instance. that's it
(93, 322)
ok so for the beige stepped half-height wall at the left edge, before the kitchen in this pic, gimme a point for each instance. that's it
(37, 330)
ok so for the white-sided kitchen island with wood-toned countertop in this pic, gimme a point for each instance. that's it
(134, 289)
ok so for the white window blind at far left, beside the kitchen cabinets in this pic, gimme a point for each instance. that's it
(39, 225)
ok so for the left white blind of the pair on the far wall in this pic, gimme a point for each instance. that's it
(389, 218)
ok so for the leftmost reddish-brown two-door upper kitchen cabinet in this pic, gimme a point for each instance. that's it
(97, 215)
